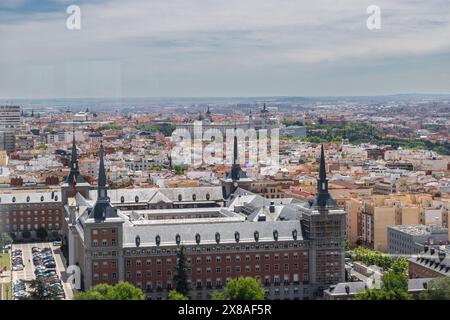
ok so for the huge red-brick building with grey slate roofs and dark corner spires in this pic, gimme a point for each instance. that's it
(295, 248)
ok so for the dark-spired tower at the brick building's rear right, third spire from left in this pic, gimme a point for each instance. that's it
(236, 177)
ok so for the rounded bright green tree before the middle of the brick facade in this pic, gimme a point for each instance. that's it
(241, 289)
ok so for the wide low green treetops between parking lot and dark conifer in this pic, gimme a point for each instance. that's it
(121, 291)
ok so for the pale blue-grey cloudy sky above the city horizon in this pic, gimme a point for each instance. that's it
(222, 48)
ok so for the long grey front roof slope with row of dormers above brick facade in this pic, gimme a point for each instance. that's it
(207, 232)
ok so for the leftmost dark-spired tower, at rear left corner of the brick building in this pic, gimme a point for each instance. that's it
(74, 181)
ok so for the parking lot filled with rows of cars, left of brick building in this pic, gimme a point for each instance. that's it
(44, 261)
